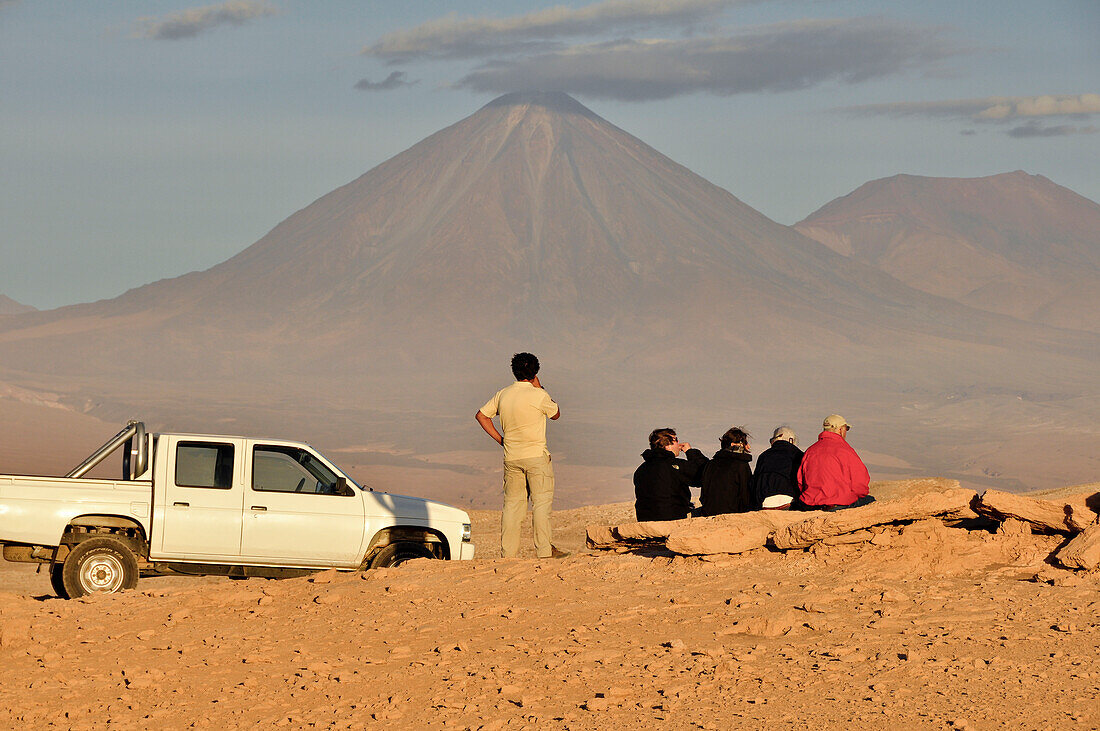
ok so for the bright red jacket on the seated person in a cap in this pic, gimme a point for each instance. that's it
(832, 474)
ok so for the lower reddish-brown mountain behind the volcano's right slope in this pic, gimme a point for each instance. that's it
(1014, 243)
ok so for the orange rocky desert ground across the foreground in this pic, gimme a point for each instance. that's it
(928, 627)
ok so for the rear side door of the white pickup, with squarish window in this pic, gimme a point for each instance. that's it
(203, 499)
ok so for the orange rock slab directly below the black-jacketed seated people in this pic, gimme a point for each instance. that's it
(731, 534)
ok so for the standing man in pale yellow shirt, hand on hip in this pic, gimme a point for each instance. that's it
(524, 408)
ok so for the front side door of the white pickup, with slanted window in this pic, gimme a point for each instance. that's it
(294, 513)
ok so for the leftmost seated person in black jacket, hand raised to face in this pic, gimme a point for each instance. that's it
(663, 483)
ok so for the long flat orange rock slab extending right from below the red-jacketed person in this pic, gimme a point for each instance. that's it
(819, 526)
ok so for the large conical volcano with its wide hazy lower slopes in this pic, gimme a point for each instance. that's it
(383, 315)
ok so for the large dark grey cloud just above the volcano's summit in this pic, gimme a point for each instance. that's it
(777, 58)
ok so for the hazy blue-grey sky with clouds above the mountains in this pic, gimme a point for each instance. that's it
(142, 140)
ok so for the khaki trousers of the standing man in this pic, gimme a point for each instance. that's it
(527, 479)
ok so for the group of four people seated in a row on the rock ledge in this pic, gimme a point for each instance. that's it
(828, 477)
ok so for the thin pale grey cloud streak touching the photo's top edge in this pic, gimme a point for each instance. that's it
(479, 38)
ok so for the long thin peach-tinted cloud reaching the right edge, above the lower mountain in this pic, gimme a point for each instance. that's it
(992, 109)
